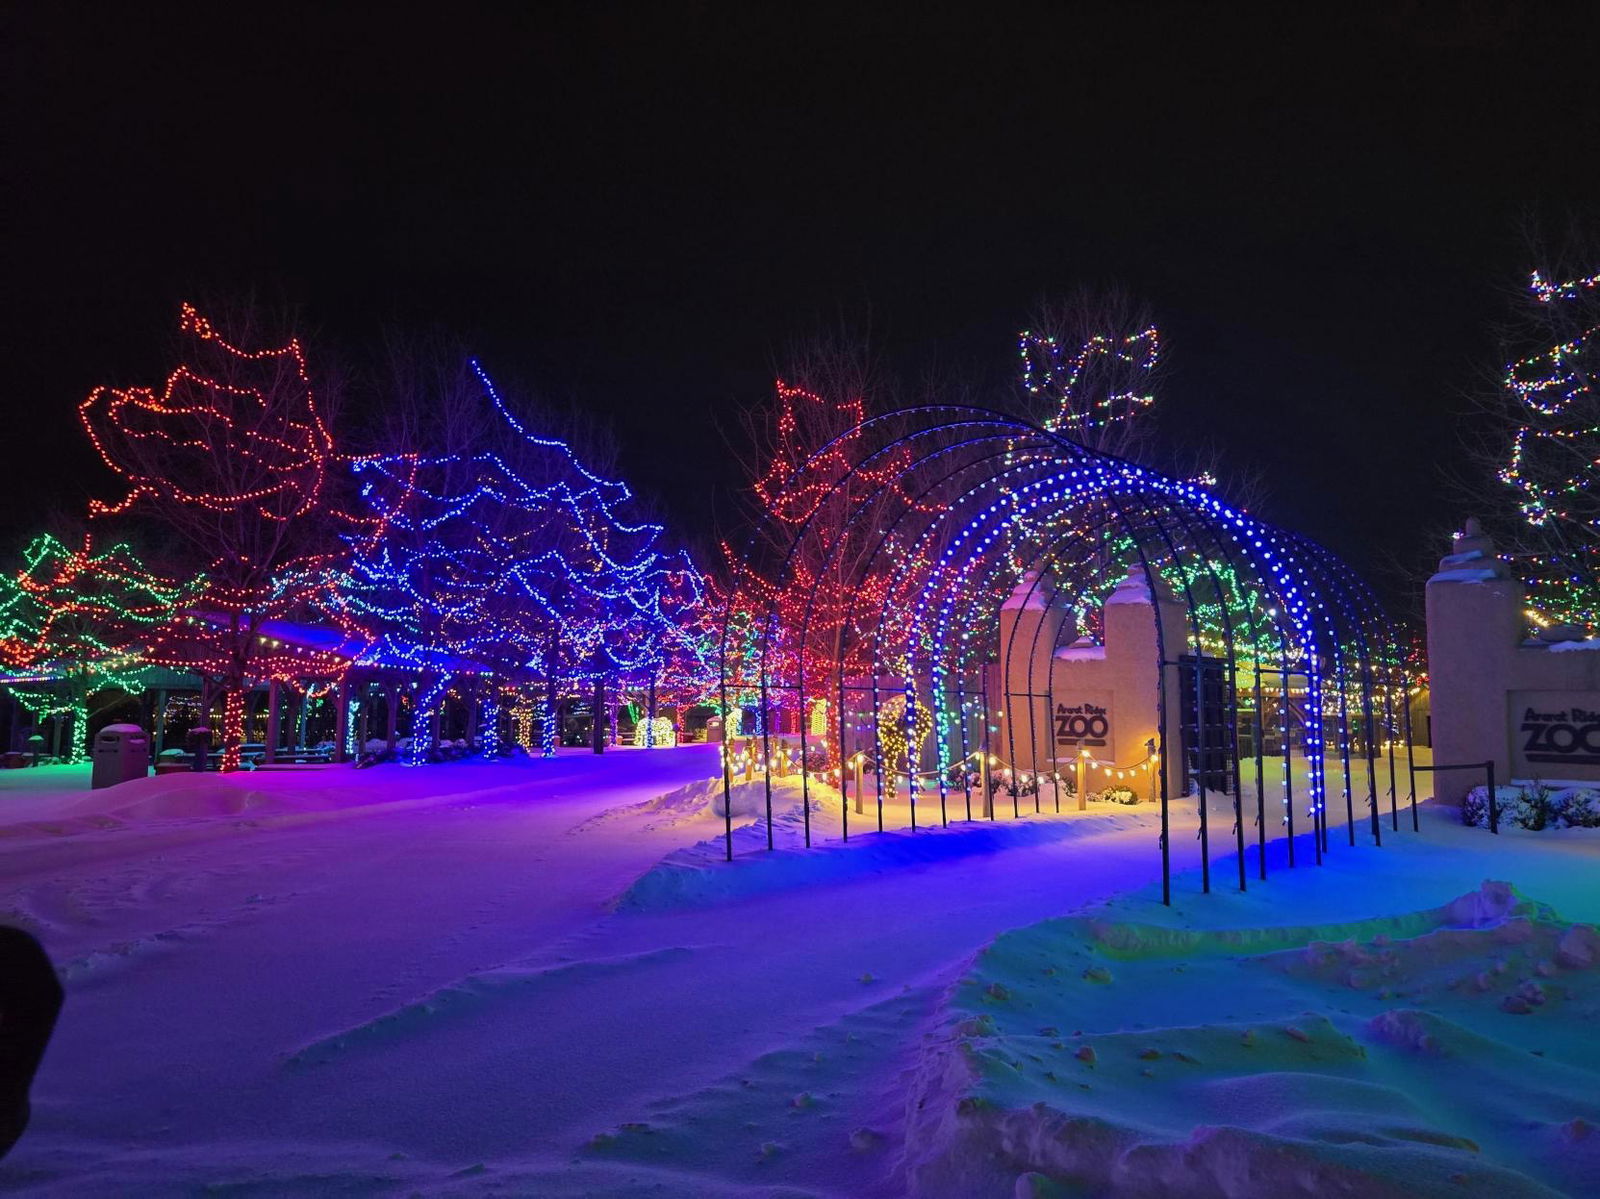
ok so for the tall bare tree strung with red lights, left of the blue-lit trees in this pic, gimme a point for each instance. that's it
(231, 459)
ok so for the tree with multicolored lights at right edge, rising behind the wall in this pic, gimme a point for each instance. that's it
(1556, 451)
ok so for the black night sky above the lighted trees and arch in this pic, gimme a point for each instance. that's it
(639, 206)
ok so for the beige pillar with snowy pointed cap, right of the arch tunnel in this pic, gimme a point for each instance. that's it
(1476, 622)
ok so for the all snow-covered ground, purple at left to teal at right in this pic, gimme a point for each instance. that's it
(542, 979)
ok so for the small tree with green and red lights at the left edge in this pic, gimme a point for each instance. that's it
(76, 624)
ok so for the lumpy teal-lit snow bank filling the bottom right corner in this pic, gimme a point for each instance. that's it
(1438, 1053)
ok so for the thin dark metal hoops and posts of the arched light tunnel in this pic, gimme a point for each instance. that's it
(1258, 559)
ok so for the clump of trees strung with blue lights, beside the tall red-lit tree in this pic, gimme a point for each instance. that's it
(508, 558)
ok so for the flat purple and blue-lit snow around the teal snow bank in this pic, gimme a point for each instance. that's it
(434, 995)
